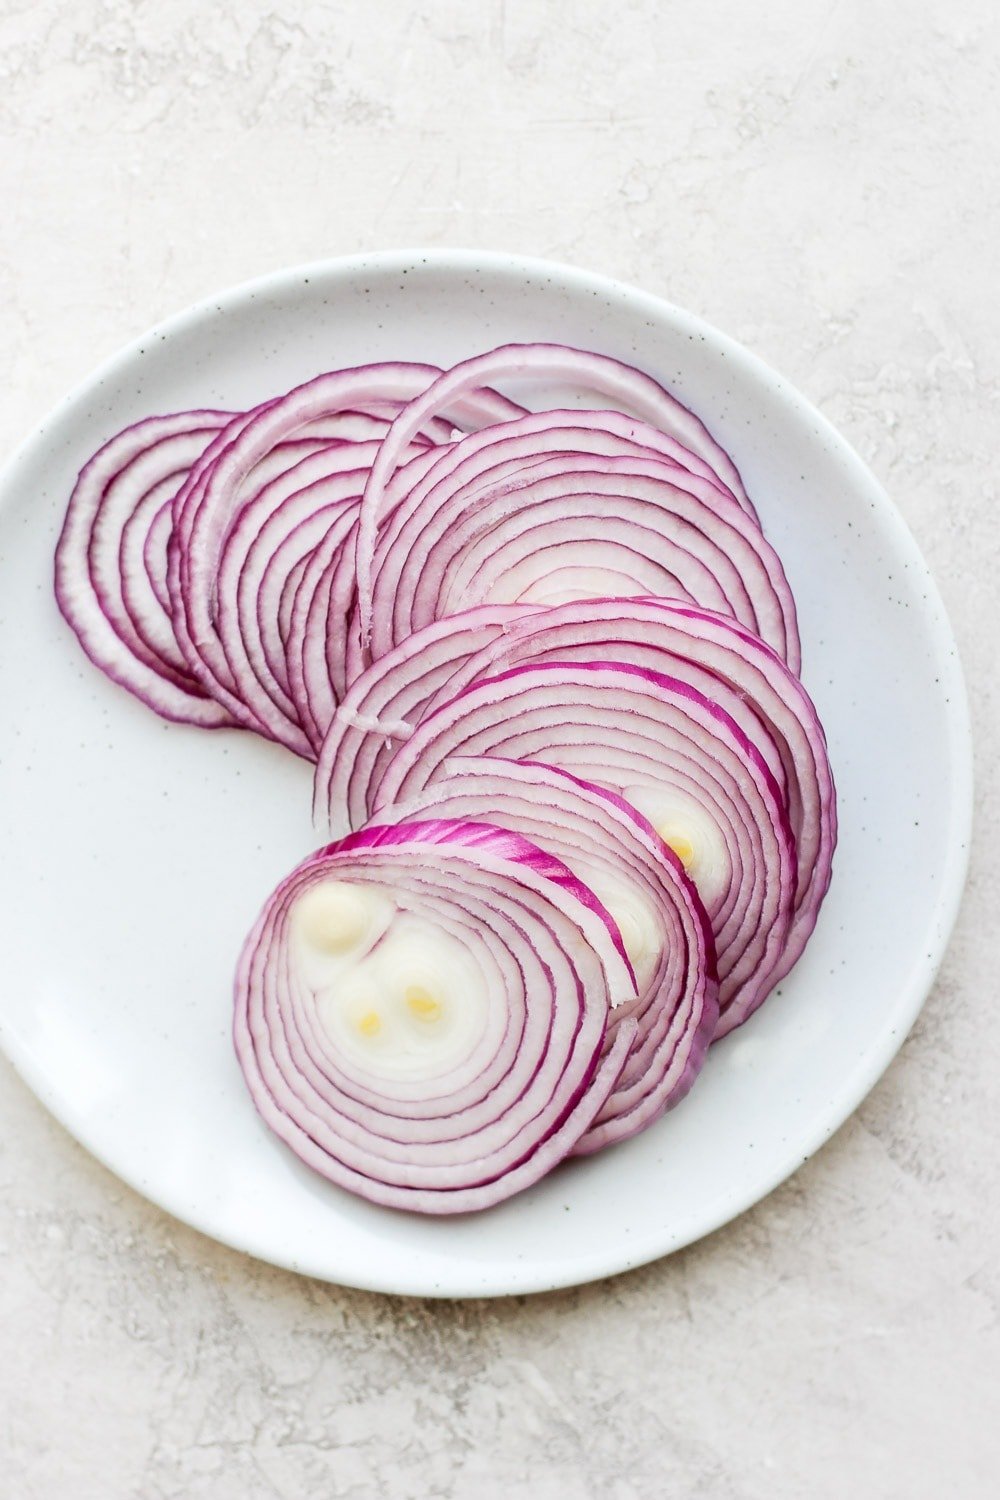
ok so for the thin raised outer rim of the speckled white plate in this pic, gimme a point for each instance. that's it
(479, 1279)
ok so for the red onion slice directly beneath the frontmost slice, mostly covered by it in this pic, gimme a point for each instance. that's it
(639, 880)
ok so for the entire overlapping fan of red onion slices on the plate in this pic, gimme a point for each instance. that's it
(546, 664)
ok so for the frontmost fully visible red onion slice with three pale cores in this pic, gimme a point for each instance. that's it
(421, 1013)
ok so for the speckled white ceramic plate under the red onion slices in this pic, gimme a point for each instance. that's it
(136, 854)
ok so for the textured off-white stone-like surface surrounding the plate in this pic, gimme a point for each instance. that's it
(816, 178)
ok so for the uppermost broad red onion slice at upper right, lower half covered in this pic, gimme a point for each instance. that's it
(566, 527)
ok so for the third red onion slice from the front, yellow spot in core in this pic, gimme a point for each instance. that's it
(675, 755)
